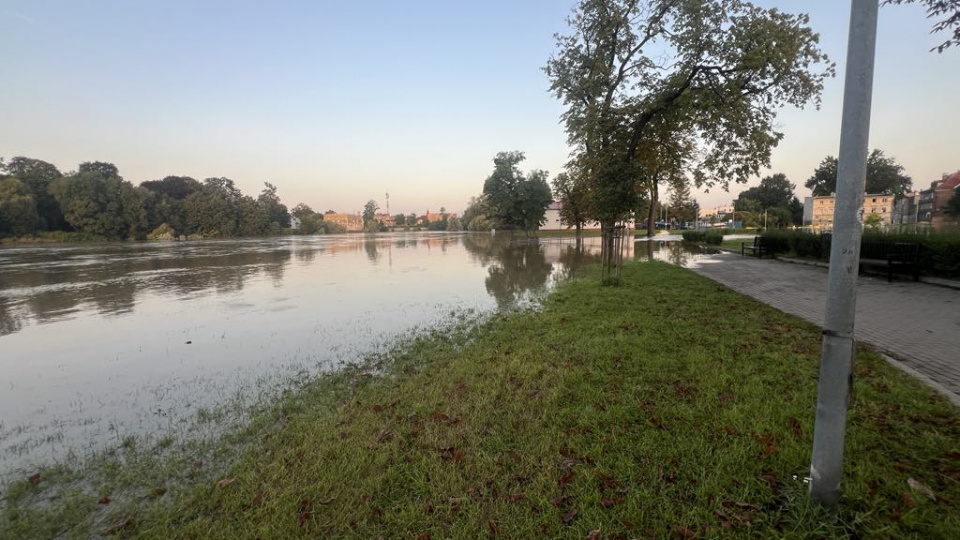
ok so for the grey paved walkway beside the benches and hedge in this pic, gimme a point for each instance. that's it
(916, 323)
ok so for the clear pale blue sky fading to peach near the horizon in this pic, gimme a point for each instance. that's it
(338, 102)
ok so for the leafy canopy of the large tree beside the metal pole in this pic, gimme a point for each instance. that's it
(708, 75)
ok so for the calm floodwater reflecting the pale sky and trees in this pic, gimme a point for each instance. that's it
(102, 341)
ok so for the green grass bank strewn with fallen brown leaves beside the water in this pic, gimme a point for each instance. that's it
(597, 412)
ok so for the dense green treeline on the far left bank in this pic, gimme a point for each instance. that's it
(95, 201)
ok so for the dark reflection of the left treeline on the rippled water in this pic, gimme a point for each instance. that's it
(63, 282)
